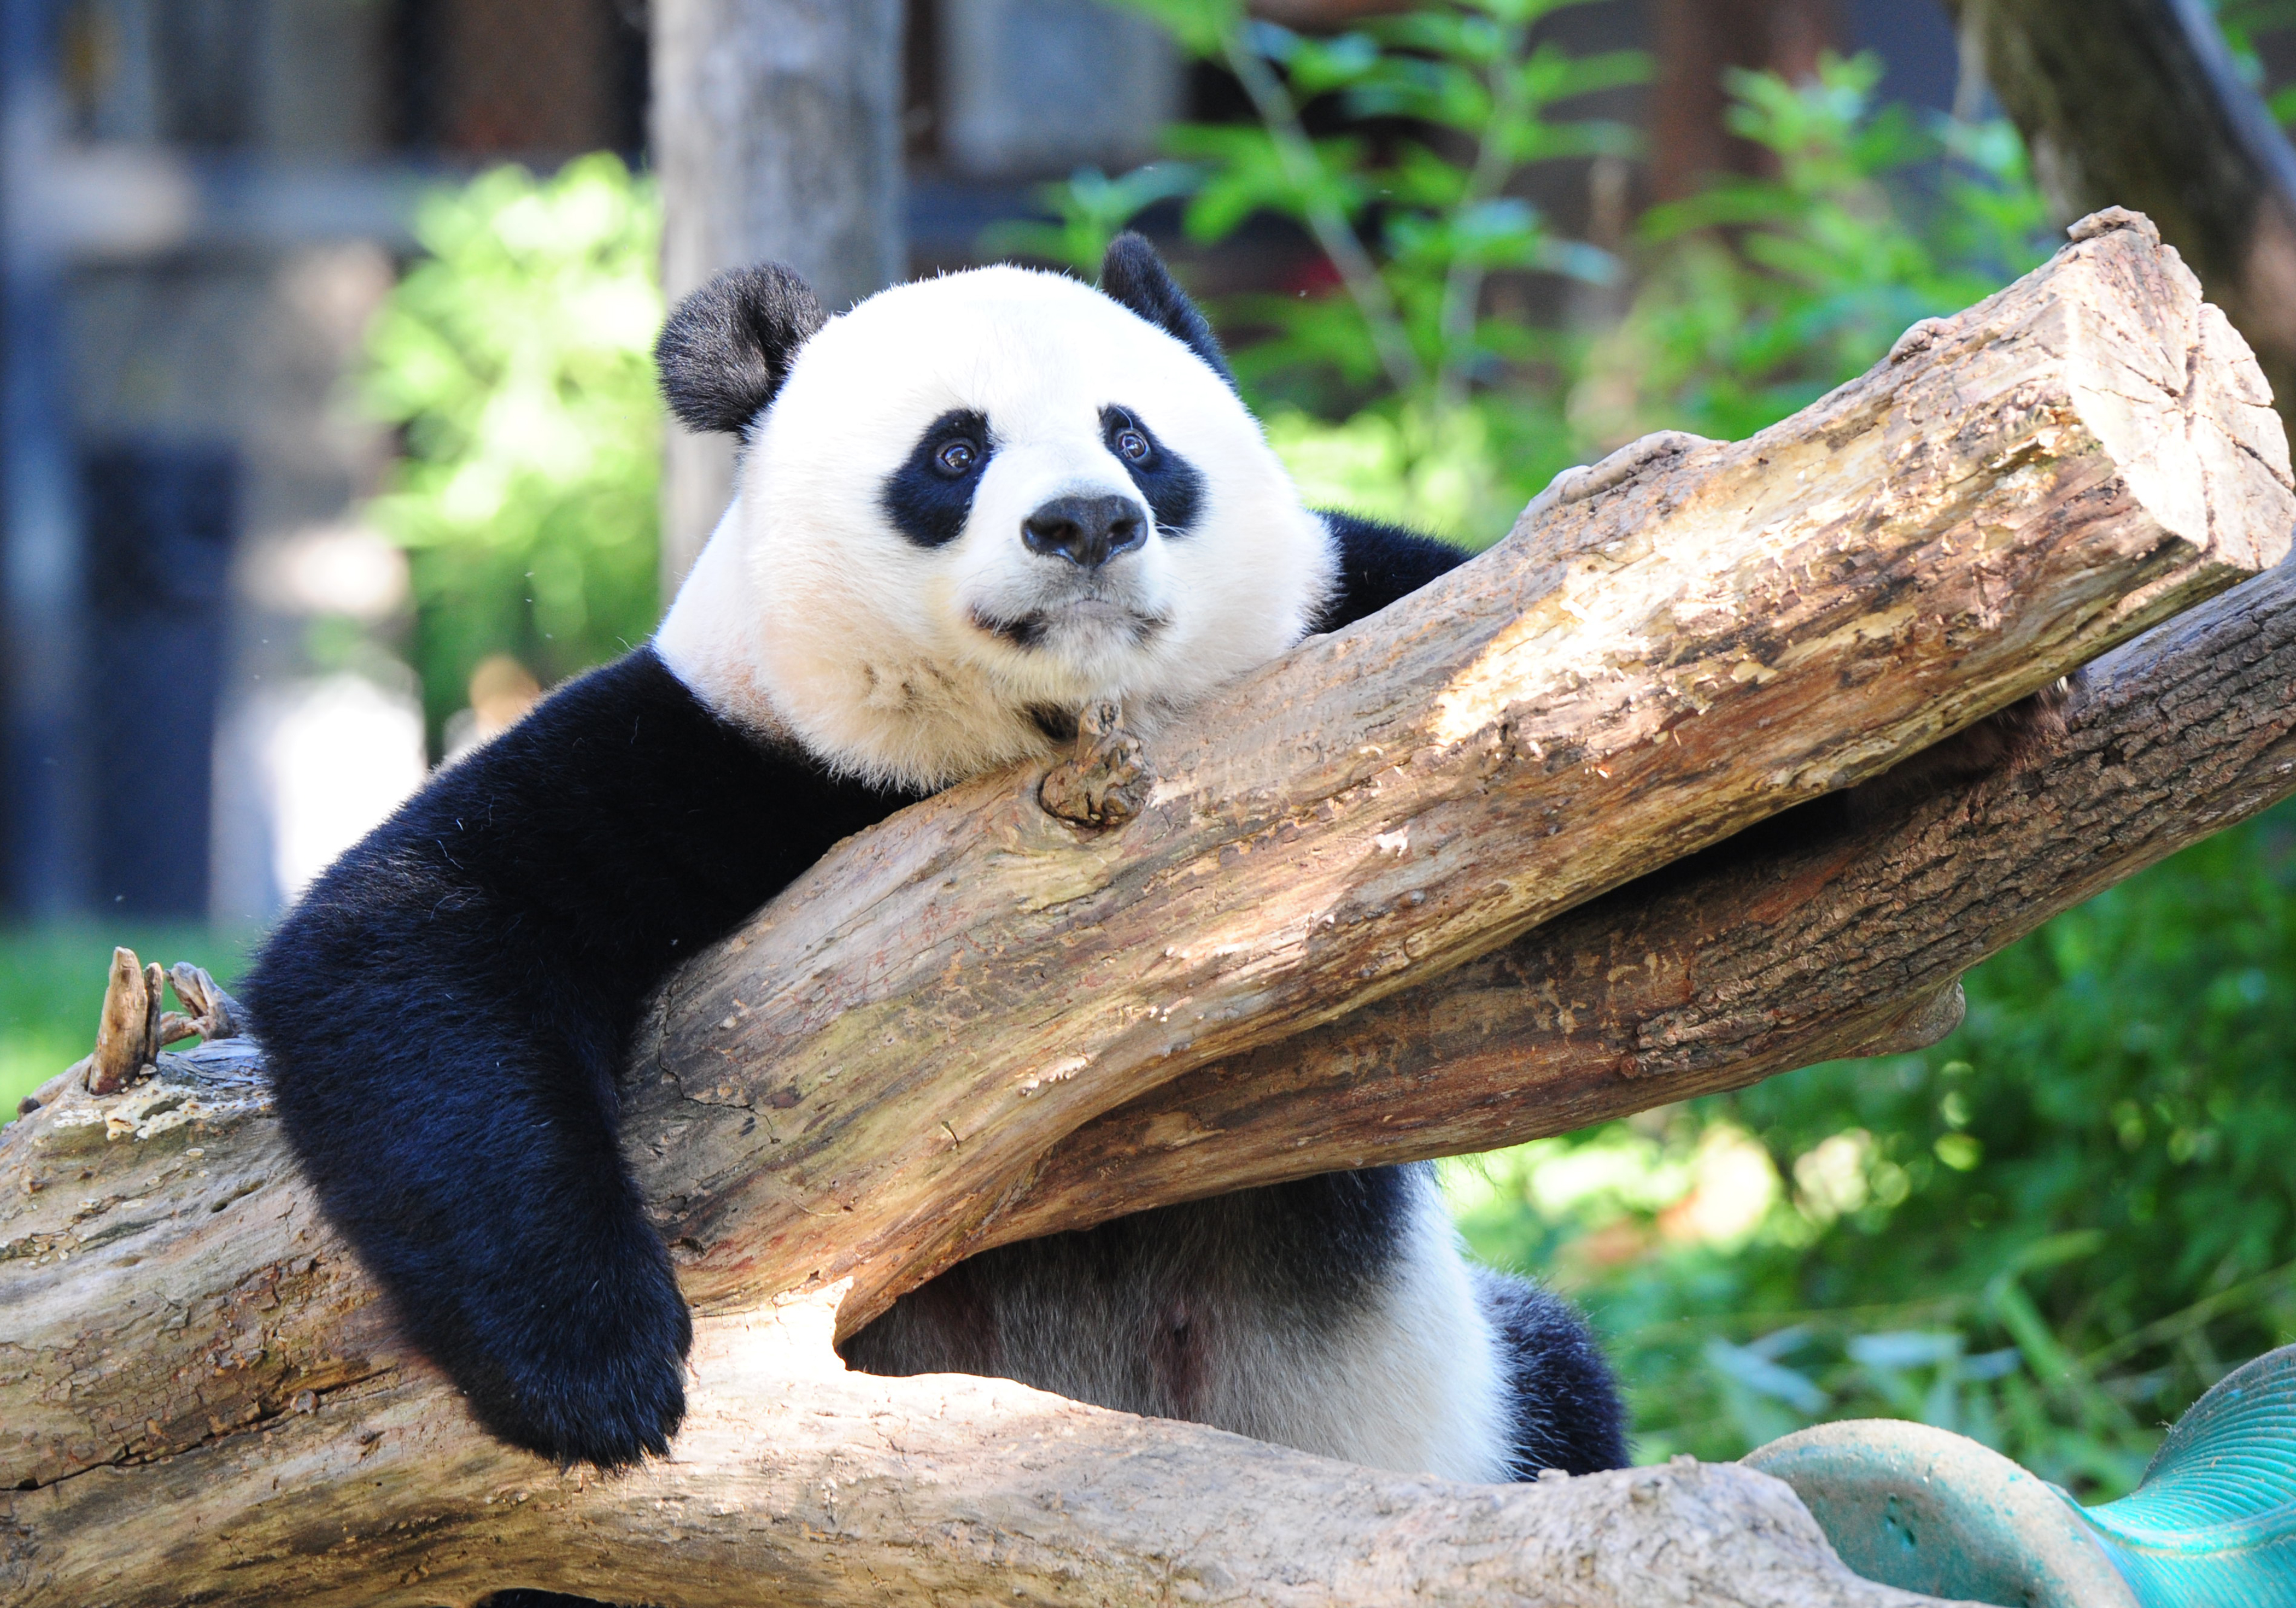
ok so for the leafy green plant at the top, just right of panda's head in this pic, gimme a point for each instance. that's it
(1425, 208)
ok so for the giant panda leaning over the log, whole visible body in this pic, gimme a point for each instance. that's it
(965, 509)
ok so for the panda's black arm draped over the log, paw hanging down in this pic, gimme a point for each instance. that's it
(449, 1007)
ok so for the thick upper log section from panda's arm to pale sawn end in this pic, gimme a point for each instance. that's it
(853, 1083)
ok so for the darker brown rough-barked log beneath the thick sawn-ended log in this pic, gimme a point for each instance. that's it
(1826, 938)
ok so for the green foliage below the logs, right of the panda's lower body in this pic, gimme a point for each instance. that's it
(2049, 1232)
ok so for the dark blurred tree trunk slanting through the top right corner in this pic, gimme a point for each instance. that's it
(2139, 105)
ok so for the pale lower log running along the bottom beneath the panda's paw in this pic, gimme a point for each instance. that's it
(809, 1485)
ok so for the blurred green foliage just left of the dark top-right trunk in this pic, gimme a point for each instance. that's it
(1769, 293)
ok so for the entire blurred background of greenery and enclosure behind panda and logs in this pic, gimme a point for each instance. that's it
(329, 442)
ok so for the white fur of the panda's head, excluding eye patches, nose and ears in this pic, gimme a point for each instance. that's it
(812, 614)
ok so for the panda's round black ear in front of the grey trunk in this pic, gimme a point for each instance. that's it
(731, 343)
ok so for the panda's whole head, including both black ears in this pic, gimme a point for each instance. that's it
(975, 504)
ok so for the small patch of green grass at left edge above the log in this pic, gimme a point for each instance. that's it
(52, 991)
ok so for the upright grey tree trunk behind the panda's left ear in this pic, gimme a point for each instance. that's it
(777, 137)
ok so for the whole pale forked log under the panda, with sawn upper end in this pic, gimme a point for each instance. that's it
(205, 1400)
